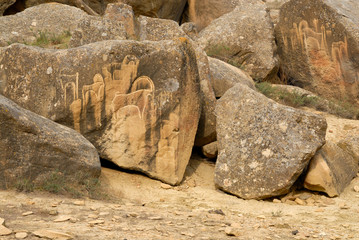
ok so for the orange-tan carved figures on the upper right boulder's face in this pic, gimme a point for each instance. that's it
(317, 42)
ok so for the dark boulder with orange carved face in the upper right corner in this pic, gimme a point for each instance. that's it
(318, 43)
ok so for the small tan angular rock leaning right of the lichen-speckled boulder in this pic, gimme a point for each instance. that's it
(331, 170)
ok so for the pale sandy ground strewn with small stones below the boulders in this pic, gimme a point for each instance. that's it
(147, 209)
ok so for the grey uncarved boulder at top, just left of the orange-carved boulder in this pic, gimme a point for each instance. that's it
(243, 38)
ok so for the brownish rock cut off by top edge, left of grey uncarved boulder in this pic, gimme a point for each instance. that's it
(203, 12)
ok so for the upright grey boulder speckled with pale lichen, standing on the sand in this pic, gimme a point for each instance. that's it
(263, 146)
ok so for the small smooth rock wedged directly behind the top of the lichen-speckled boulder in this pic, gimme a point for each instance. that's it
(225, 76)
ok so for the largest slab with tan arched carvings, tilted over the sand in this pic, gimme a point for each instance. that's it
(137, 102)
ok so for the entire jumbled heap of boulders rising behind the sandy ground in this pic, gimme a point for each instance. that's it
(251, 84)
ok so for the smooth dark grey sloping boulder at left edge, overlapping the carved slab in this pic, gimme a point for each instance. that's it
(32, 147)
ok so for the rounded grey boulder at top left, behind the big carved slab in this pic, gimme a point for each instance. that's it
(26, 26)
